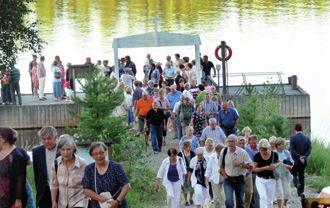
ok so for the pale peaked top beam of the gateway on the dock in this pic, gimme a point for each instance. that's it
(156, 39)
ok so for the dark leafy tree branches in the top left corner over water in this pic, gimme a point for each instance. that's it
(18, 33)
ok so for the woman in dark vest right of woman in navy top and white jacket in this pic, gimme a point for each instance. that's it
(187, 154)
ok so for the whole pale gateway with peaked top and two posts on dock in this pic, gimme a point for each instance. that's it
(157, 39)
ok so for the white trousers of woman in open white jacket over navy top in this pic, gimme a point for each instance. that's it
(173, 191)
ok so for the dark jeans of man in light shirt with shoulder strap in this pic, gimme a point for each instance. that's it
(234, 185)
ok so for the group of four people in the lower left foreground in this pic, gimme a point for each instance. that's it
(62, 178)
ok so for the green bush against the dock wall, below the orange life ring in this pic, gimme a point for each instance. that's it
(261, 113)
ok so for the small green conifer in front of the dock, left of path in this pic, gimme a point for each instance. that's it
(100, 99)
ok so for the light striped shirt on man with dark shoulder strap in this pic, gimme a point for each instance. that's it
(241, 155)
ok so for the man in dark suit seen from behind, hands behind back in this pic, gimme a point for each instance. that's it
(300, 148)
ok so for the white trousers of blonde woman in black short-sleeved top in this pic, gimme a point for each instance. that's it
(266, 190)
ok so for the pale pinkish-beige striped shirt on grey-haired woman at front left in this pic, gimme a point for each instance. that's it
(68, 182)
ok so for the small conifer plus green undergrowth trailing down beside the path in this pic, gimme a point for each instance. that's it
(96, 123)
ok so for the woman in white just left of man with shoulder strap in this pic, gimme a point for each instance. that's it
(212, 175)
